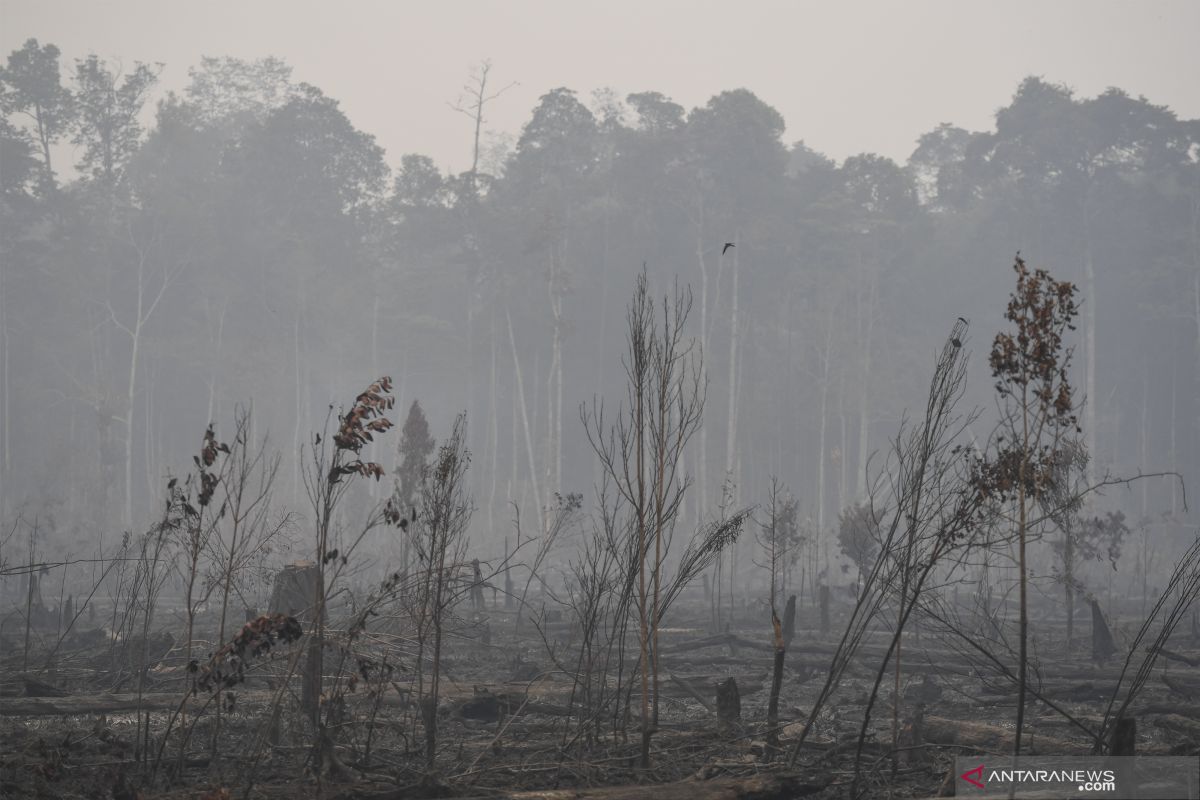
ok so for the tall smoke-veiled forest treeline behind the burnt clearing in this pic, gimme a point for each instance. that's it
(248, 244)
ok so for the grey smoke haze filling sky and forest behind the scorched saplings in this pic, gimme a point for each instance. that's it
(281, 208)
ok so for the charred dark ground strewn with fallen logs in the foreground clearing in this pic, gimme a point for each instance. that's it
(69, 720)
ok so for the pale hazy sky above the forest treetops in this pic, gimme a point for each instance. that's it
(849, 77)
